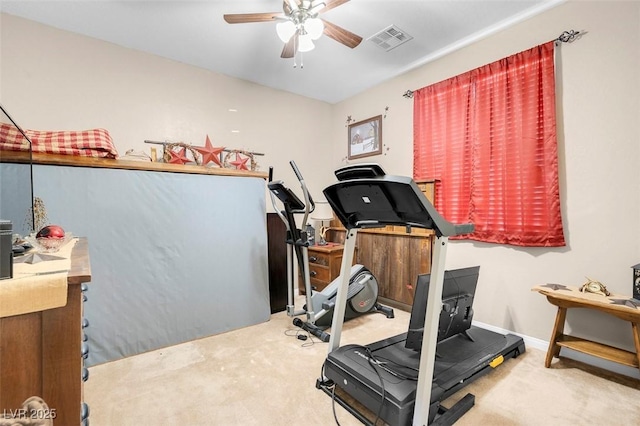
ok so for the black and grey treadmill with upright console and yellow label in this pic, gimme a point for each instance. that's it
(390, 377)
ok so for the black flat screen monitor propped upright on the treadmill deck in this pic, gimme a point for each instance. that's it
(458, 290)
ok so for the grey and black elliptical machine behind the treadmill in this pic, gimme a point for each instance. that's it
(363, 287)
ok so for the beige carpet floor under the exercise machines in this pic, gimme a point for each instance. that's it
(262, 375)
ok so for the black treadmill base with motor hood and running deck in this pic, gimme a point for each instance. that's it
(459, 361)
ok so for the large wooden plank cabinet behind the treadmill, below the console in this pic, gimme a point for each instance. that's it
(395, 257)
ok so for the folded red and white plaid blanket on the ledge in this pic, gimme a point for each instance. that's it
(87, 143)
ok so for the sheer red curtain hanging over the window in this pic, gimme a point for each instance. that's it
(489, 138)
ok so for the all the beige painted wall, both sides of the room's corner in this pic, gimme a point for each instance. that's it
(77, 82)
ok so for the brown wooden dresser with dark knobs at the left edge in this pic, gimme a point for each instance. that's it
(42, 353)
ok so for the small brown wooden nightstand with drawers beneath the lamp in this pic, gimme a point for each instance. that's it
(324, 266)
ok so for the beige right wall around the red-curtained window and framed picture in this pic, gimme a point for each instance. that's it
(599, 138)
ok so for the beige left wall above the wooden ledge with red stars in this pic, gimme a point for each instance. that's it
(56, 80)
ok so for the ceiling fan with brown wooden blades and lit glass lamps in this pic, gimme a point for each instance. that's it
(300, 24)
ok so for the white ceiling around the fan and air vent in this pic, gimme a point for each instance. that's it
(195, 33)
